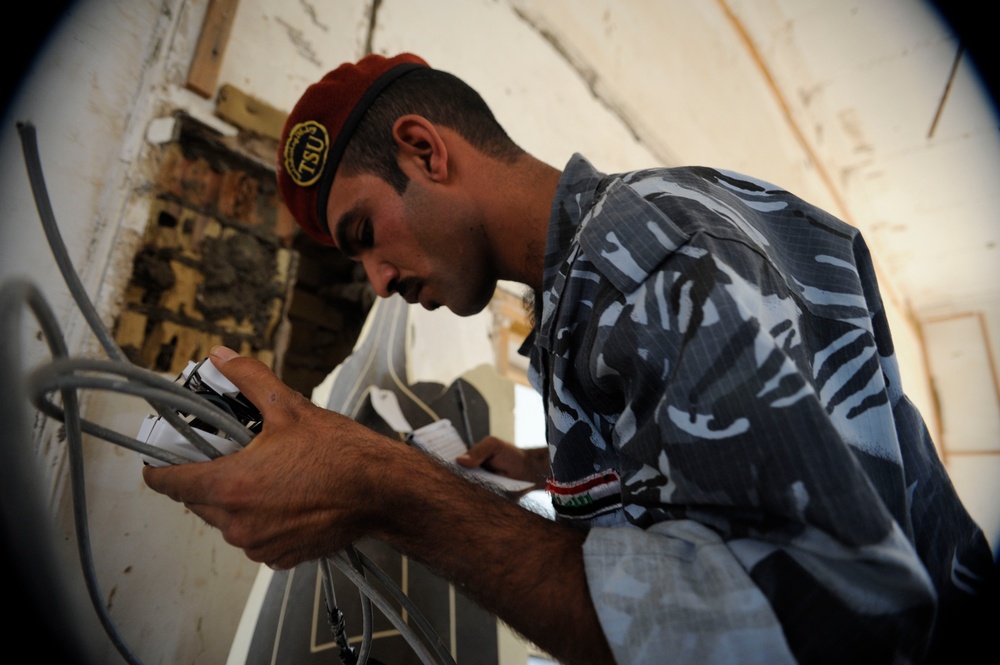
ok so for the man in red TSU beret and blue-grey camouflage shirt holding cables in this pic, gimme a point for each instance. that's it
(737, 473)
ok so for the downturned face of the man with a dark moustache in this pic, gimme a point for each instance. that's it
(424, 245)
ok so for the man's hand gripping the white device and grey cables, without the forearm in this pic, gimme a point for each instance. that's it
(299, 491)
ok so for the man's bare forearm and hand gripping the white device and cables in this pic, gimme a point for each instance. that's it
(313, 481)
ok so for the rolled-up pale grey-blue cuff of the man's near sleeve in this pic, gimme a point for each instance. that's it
(675, 593)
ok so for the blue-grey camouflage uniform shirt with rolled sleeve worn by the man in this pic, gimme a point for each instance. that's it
(725, 416)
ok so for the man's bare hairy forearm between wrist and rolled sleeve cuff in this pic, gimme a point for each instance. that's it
(526, 569)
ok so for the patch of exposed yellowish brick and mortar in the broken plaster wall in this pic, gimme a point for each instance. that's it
(189, 191)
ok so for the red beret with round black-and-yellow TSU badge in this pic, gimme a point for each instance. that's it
(320, 126)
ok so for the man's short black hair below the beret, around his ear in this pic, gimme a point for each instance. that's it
(440, 97)
